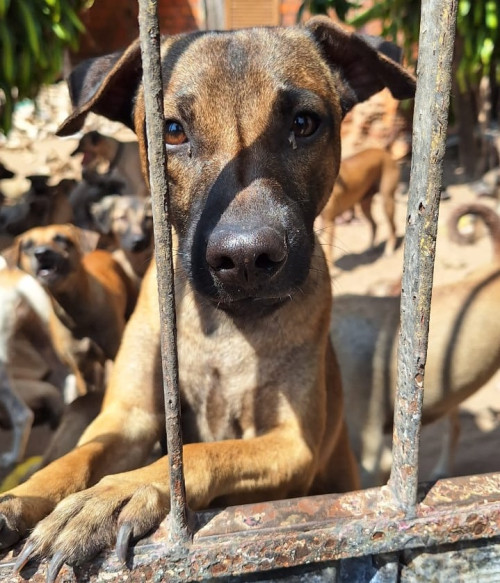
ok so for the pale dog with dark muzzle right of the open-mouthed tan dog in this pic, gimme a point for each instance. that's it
(128, 220)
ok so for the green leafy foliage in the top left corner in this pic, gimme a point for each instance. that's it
(33, 37)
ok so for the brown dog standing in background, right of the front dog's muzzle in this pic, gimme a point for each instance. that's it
(360, 177)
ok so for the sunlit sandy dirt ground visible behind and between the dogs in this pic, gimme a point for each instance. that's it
(33, 149)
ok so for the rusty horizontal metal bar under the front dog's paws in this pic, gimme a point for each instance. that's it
(288, 533)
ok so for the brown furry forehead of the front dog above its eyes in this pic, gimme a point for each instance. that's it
(236, 67)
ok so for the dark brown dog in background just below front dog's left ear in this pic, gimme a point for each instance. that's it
(124, 162)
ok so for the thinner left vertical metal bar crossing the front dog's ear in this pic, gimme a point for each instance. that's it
(155, 131)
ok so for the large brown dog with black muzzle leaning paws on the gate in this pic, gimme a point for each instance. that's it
(252, 133)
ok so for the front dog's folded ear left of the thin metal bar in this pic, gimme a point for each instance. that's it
(105, 85)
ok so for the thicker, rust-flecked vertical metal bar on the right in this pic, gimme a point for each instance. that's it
(437, 33)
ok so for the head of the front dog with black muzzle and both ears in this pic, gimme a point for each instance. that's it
(252, 122)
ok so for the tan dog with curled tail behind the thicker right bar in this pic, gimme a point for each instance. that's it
(463, 353)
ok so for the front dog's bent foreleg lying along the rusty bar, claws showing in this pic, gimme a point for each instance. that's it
(131, 504)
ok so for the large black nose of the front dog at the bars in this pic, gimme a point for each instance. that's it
(246, 258)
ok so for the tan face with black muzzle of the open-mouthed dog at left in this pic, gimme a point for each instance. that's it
(51, 254)
